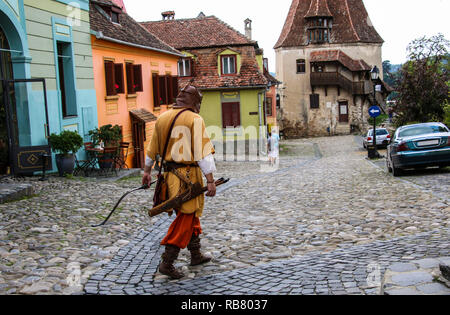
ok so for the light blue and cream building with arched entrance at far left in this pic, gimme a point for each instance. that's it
(47, 81)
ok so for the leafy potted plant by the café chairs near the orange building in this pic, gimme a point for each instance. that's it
(110, 136)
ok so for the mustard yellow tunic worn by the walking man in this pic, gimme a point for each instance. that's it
(189, 144)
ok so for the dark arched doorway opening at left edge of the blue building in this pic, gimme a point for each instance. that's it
(6, 73)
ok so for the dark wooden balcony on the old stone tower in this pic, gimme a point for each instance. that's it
(337, 79)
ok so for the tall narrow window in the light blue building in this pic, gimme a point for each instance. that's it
(66, 79)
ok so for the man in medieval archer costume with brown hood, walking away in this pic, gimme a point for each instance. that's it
(189, 154)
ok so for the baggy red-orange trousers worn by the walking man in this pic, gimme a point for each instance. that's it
(182, 229)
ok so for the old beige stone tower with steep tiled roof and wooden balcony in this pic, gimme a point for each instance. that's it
(324, 56)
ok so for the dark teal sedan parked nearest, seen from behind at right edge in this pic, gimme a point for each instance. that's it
(419, 146)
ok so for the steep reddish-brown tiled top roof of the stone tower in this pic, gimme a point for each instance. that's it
(351, 22)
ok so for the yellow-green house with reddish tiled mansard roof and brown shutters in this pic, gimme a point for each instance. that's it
(228, 68)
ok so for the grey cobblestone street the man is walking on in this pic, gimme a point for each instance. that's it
(326, 222)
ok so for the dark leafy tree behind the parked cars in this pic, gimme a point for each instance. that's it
(422, 84)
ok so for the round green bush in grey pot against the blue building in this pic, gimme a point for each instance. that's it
(66, 145)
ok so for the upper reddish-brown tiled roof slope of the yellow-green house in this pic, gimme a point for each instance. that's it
(200, 32)
